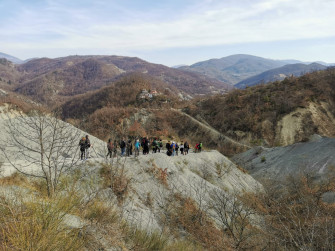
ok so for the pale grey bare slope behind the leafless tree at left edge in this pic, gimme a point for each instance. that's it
(29, 161)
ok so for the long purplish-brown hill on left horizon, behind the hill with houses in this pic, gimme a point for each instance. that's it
(53, 80)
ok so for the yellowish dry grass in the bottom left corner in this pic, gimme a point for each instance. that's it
(39, 225)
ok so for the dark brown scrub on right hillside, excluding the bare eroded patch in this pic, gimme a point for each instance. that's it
(253, 113)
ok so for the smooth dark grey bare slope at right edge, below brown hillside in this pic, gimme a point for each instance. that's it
(316, 157)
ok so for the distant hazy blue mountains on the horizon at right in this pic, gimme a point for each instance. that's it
(243, 70)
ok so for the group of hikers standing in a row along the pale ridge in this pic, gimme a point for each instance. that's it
(129, 147)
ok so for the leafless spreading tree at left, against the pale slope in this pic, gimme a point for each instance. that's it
(40, 145)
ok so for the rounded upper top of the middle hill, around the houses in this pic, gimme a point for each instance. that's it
(124, 93)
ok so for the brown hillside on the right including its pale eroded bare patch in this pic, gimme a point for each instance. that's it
(259, 113)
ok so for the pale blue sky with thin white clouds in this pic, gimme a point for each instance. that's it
(169, 32)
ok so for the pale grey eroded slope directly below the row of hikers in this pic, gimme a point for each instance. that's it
(194, 176)
